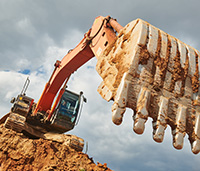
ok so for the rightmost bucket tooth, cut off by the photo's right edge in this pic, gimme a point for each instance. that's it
(196, 143)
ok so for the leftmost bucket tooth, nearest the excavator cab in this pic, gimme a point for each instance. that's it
(119, 105)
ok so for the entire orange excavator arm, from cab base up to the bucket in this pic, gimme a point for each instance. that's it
(101, 35)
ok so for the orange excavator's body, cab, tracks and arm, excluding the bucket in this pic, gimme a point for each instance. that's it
(44, 118)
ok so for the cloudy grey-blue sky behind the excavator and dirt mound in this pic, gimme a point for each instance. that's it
(34, 34)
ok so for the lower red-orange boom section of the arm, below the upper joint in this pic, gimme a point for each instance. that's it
(63, 69)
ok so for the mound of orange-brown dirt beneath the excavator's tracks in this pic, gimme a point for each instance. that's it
(18, 152)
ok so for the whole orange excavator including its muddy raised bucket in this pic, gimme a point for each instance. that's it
(142, 68)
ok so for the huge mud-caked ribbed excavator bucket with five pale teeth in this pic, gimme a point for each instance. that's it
(157, 76)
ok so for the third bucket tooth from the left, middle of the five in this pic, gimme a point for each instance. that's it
(161, 123)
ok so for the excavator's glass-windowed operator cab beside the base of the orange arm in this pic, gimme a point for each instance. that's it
(67, 111)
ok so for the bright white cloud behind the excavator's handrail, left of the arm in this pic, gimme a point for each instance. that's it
(11, 84)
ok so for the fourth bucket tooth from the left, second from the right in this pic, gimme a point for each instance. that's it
(179, 131)
